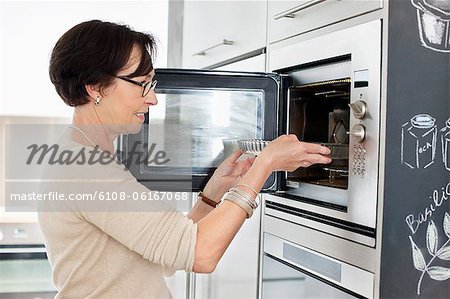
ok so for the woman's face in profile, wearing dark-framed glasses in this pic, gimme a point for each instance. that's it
(124, 104)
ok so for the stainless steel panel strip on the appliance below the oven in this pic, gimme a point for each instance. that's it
(335, 247)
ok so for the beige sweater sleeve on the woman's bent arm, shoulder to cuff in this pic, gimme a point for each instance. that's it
(153, 229)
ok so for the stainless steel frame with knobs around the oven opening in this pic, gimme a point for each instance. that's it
(362, 43)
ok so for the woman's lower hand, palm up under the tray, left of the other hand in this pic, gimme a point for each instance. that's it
(227, 175)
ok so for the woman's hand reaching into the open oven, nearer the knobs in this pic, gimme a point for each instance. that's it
(287, 153)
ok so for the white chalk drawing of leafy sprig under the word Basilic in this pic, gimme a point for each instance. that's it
(442, 253)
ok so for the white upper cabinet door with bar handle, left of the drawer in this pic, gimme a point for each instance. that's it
(208, 23)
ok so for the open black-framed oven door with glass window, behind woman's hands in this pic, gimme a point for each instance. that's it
(209, 110)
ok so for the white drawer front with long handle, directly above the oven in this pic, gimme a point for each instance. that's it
(289, 18)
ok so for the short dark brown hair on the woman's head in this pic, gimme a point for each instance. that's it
(93, 52)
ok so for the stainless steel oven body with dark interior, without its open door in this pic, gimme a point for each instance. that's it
(334, 100)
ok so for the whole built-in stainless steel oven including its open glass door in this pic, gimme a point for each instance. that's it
(324, 89)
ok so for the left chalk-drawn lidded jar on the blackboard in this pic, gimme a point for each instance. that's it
(418, 146)
